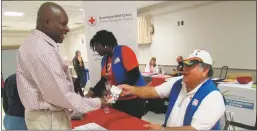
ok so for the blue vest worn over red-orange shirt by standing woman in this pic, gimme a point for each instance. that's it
(118, 70)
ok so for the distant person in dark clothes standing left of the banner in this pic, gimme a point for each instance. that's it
(79, 67)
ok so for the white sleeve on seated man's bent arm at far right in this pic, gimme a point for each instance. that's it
(212, 108)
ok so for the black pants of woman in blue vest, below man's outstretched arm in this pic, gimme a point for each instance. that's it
(134, 107)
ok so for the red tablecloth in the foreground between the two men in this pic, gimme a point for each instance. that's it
(115, 120)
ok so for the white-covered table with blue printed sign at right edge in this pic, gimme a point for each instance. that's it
(240, 99)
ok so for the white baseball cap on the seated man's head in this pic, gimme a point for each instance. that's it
(198, 56)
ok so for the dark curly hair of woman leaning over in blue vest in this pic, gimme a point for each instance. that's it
(105, 38)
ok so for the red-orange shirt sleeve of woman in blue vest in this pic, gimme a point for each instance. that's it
(129, 58)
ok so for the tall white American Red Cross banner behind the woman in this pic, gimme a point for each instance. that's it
(119, 17)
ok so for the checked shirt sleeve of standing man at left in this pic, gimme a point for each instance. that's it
(55, 87)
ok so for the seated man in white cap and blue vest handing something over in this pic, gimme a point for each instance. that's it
(195, 103)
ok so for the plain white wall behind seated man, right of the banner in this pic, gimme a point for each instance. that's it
(226, 29)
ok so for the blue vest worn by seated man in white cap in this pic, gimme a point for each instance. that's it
(201, 93)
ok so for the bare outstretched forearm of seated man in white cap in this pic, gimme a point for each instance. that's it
(145, 92)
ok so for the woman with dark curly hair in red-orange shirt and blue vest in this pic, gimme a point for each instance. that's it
(119, 66)
